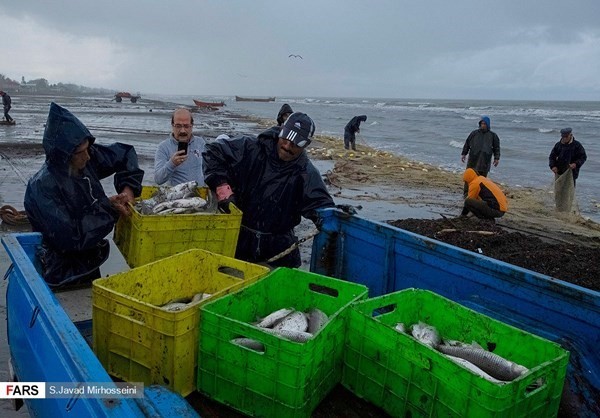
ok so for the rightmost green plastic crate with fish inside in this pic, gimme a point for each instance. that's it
(415, 353)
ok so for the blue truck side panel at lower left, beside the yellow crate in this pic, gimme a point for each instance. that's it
(45, 346)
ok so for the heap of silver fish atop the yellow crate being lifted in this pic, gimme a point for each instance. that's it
(179, 199)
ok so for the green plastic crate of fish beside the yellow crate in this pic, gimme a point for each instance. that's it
(275, 347)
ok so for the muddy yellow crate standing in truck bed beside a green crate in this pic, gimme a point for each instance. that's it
(145, 320)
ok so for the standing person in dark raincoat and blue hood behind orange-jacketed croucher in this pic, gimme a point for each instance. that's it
(481, 145)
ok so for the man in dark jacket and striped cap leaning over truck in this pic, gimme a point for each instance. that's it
(272, 181)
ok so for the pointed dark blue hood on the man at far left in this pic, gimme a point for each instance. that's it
(63, 134)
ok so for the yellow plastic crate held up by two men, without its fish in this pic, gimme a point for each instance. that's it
(146, 238)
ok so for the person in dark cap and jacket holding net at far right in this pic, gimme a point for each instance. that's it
(565, 161)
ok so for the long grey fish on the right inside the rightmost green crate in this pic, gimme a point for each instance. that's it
(494, 365)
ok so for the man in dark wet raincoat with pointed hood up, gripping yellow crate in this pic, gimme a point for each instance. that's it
(67, 204)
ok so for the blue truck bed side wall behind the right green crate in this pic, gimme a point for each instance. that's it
(386, 259)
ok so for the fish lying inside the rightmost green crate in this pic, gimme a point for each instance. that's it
(473, 357)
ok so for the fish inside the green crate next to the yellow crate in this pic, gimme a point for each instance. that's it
(288, 323)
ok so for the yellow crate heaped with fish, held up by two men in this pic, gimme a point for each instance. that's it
(168, 220)
